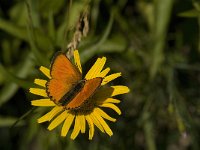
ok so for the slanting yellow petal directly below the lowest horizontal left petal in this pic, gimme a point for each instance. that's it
(50, 115)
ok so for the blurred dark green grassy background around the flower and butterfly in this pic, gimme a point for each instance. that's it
(154, 43)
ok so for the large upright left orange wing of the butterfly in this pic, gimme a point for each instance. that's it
(64, 75)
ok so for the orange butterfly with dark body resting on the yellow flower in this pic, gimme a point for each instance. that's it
(66, 86)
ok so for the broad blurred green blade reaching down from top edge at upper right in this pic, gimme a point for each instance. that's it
(163, 12)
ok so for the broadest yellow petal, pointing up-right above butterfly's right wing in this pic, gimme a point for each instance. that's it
(96, 68)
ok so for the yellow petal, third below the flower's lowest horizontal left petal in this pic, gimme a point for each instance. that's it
(67, 124)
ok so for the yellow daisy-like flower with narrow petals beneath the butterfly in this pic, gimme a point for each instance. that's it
(91, 113)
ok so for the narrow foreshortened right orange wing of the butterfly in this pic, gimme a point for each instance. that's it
(86, 92)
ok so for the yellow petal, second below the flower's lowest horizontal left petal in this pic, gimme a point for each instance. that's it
(58, 120)
